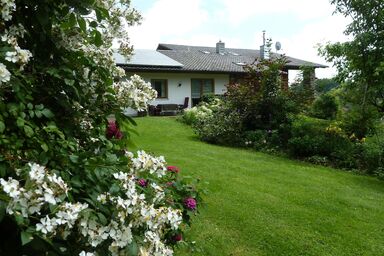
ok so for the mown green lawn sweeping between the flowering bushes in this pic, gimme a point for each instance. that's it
(264, 205)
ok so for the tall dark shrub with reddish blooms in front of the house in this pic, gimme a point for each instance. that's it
(259, 98)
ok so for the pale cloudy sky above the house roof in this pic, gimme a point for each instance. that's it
(299, 25)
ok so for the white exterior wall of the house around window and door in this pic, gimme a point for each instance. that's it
(176, 93)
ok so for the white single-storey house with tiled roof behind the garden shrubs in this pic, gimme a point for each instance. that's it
(180, 71)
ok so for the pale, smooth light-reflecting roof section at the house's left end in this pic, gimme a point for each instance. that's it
(142, 57)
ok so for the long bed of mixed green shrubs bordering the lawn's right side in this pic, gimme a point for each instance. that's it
(319, 127)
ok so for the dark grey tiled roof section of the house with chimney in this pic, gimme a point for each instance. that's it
(205, 59)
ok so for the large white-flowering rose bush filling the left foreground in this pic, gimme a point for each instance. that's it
(68, 184)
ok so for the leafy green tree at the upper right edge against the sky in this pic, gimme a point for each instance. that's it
(360, 61)
